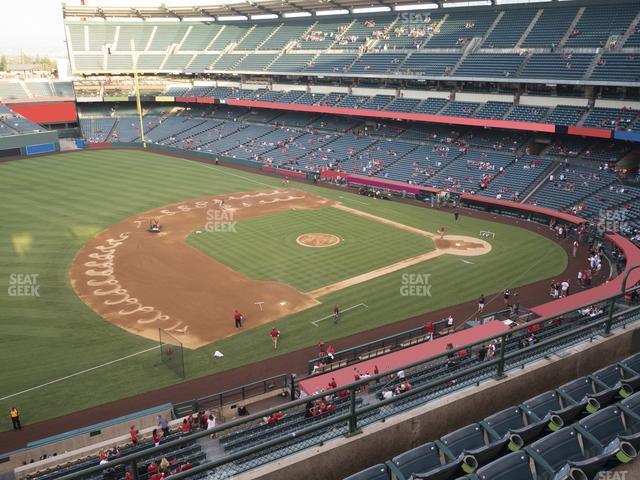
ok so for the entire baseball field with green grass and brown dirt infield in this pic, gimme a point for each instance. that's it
(85, 286)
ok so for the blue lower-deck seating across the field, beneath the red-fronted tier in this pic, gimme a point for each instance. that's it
(458, 159)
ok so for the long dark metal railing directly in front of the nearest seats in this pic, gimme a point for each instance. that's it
(573, 327)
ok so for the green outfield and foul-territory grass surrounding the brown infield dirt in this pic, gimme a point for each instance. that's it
(53, 205)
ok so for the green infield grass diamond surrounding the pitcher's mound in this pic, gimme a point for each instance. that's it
(365, 245)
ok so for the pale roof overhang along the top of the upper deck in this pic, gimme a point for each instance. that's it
(251, 8)
